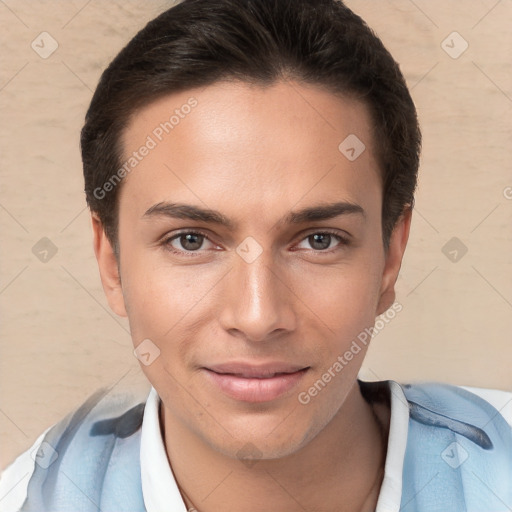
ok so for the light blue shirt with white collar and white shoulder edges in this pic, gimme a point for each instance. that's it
(449, 450)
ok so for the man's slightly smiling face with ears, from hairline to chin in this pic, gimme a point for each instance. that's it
(251, 257)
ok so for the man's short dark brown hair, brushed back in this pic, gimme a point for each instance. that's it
(198, 42)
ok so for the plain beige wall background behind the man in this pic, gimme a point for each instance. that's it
(59, 341)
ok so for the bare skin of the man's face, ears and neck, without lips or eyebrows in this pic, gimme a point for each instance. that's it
(255, 154)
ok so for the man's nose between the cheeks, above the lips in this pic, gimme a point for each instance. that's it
(258, 302)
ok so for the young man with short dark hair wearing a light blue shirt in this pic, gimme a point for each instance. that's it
(250, 167)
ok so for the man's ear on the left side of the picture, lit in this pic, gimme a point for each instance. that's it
(108, 266)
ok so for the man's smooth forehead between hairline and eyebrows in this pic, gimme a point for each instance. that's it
(259, 145)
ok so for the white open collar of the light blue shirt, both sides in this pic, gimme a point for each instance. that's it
(161, 492)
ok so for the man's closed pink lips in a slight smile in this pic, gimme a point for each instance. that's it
(255, 383)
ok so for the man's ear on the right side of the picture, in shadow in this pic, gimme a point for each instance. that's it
(393, 261)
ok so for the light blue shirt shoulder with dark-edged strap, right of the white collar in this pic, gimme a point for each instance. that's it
(459, 441)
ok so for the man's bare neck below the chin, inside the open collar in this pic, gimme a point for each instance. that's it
(341, 469)
